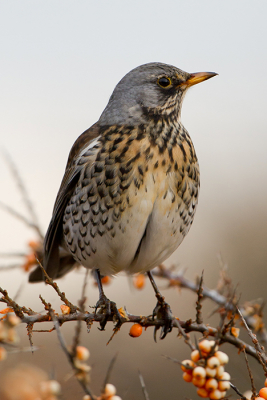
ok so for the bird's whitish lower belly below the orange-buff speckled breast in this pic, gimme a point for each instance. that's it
(147, 232)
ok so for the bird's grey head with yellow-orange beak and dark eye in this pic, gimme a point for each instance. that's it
(154, 87)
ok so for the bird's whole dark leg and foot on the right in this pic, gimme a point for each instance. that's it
(161, 311)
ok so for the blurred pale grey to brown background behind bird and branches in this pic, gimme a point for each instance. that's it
(60, 62)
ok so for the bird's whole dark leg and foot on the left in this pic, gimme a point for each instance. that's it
(107, 307)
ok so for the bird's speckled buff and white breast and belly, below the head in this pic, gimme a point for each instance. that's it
(135, 200)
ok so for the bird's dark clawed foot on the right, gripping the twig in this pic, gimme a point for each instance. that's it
(162, 311)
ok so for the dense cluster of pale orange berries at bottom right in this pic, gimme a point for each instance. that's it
(206, 370)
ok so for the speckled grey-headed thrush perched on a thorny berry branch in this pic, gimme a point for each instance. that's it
(130, 189)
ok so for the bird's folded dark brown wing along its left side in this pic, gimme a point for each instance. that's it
(53, 235)
